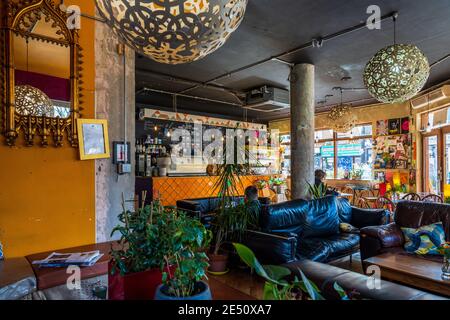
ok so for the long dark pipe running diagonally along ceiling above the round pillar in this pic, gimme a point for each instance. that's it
(292, 51)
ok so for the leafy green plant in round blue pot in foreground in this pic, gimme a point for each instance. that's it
(187, 252)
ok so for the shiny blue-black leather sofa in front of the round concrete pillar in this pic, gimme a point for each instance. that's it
(301, 229)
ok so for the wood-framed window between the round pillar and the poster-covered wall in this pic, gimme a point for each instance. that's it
(345, 155)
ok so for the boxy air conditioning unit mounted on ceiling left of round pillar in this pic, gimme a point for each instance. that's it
(267, 99)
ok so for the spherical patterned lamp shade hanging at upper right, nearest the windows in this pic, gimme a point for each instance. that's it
(396, 73)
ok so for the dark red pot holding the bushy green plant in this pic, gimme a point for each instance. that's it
(134, 286)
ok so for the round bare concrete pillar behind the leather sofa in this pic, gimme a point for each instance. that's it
(302, 129)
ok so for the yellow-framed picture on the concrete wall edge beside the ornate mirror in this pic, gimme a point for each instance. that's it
(93, 139)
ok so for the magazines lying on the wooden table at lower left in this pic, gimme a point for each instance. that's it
(82, 259)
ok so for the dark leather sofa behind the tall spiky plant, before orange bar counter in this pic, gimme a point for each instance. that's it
(204, 208)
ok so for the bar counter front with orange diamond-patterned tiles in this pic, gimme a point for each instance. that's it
(171, 189)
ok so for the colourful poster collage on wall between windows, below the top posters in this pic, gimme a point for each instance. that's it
(392, 152)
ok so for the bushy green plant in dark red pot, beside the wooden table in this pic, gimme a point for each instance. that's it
(138, 258)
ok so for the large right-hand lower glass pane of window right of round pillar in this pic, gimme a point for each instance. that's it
(355, 159)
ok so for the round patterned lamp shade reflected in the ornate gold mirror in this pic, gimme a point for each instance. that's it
(32, 101)
